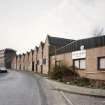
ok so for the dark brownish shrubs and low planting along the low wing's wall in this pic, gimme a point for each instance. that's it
(70, 76)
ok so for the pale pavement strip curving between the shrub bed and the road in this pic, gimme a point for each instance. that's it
(76, 89)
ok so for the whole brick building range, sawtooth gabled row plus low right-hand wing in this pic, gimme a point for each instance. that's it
(87, 55)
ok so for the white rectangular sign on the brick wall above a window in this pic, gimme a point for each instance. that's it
(79, 54)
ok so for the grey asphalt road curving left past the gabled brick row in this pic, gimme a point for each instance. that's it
(24, 88)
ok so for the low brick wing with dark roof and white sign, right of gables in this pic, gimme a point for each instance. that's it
(86, 55)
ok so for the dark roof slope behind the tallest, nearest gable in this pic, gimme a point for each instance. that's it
(56, 41)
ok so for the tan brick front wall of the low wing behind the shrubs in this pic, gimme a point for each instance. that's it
(91, 70)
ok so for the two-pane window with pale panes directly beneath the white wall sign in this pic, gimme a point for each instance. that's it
(80, 63)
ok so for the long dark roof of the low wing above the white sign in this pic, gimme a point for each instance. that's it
(88, 43)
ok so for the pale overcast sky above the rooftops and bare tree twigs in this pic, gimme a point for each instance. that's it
(24, 23)
